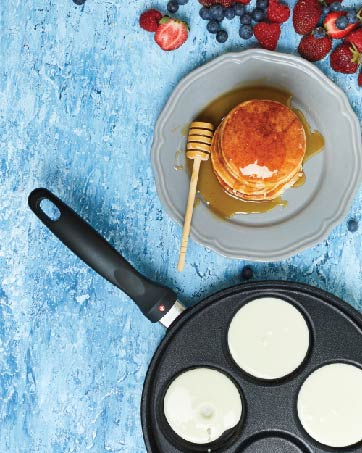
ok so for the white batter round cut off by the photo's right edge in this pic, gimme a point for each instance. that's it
(330, 405)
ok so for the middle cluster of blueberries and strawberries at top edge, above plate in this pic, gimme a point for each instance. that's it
(263, 21)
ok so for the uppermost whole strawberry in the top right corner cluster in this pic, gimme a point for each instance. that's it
(306, 16)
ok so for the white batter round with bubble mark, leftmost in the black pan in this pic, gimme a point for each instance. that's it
(201, 404)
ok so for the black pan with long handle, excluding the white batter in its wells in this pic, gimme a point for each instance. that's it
(198, 338)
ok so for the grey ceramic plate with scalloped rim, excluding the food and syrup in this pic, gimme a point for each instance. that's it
(333, 176)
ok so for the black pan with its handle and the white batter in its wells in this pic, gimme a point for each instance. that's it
(263, 367)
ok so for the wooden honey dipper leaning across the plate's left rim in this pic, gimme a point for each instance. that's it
(198, 149)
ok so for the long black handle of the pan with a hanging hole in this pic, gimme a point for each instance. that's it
(153, 300)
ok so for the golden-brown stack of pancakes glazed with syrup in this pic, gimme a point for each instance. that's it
(257, 151)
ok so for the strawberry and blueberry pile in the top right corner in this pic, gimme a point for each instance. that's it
(320, 24)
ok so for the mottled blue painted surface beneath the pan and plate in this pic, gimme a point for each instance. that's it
(80, 91)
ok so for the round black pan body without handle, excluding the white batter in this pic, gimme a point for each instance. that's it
(199, 339)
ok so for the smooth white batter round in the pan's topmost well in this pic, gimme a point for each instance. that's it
(268, 338)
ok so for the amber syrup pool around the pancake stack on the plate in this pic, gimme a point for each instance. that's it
(209, 189)
